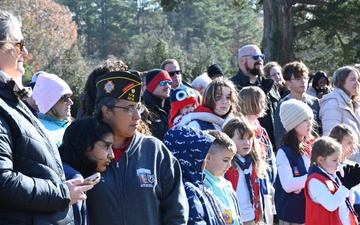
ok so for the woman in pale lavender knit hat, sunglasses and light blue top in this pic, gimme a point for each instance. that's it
(53, 98)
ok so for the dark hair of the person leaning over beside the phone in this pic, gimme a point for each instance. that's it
(79, 138)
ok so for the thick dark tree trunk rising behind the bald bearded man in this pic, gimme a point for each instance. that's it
(279, 34)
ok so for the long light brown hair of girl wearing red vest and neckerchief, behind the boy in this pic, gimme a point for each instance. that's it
(243, 127)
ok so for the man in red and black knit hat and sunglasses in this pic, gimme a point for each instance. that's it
(157, 101)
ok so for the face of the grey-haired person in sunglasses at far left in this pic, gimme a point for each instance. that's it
(11, 58)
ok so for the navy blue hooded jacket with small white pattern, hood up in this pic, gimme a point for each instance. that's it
(190, 147)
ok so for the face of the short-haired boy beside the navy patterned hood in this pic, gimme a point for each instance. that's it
(219, 162)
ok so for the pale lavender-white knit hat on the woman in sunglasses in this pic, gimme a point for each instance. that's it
(48, 90)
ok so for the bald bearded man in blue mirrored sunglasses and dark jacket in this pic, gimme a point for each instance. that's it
(251, 73)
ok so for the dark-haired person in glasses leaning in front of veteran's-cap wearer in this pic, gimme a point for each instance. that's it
(85, 153)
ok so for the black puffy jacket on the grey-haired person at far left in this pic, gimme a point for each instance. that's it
(32, 188)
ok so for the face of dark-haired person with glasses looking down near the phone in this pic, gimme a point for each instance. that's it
(102, 152)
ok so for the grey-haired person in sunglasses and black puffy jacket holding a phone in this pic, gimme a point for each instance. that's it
(33, 189)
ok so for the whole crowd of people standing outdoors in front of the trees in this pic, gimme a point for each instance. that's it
(265, 146)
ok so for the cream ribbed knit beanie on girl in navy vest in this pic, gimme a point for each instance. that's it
(293, 112)
